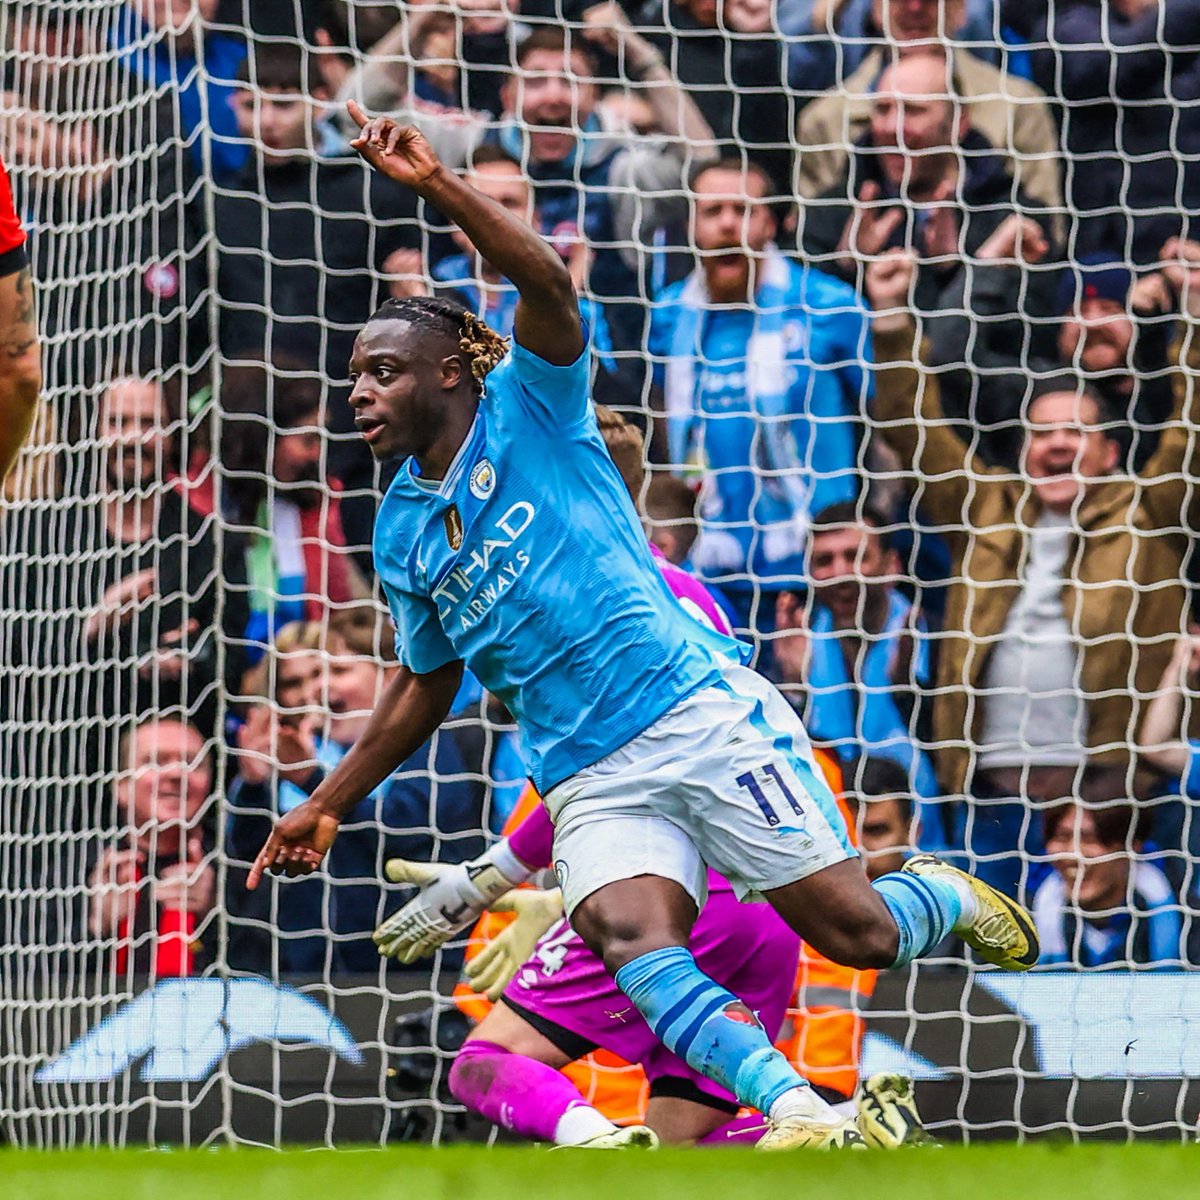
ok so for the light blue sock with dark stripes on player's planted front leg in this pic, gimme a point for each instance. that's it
(687, 1013)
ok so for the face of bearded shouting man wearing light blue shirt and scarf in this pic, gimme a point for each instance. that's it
(730, 225)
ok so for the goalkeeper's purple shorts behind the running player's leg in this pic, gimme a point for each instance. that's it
(566, 994)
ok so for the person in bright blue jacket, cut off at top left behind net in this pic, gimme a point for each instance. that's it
(167, 46)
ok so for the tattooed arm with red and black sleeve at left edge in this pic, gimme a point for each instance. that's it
(21, 373)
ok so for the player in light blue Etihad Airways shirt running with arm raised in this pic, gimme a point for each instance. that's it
(659, 755)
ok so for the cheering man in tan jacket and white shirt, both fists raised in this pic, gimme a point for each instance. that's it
(1066, 590)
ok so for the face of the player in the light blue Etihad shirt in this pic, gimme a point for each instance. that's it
(403, 382)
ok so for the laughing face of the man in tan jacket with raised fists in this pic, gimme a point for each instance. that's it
(1064, 448)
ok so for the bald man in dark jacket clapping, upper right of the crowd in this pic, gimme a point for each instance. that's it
(926, 179)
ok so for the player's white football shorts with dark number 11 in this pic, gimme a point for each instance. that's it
(727, 779)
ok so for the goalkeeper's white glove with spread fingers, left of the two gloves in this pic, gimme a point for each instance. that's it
(452, 898)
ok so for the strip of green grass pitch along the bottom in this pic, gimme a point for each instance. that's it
(1150, 1172)
